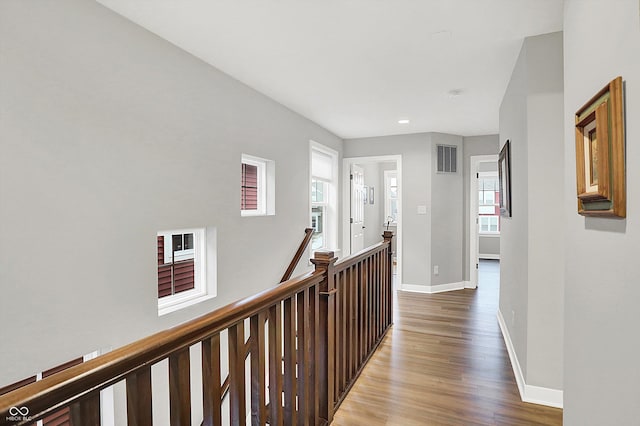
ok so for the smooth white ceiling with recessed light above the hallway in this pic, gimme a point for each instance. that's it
(358, 66)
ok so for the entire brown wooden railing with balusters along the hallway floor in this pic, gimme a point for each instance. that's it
(321, 328)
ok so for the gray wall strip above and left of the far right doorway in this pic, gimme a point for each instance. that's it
(474, 145)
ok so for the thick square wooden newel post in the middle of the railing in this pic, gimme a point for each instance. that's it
(325, 357)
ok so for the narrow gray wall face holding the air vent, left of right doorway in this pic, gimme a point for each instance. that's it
(446, 205)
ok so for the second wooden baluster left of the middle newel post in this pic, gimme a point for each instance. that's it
(290, 361)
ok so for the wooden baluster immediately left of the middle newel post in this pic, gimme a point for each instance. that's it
(303, 356)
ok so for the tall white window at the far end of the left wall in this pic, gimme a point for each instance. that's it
(324, 171)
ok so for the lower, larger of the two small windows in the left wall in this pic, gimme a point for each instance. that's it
(182, 269)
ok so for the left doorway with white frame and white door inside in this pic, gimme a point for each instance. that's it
(372, 203)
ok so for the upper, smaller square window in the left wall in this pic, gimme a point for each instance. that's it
(257, 186)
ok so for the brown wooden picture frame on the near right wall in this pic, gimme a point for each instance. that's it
(600, 170)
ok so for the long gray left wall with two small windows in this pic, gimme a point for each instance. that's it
(109, 134)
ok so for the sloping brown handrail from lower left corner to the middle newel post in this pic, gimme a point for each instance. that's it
(53, 392)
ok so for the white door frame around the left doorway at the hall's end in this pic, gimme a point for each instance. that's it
(346, 197)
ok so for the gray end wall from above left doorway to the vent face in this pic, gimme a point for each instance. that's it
(434, 238)
